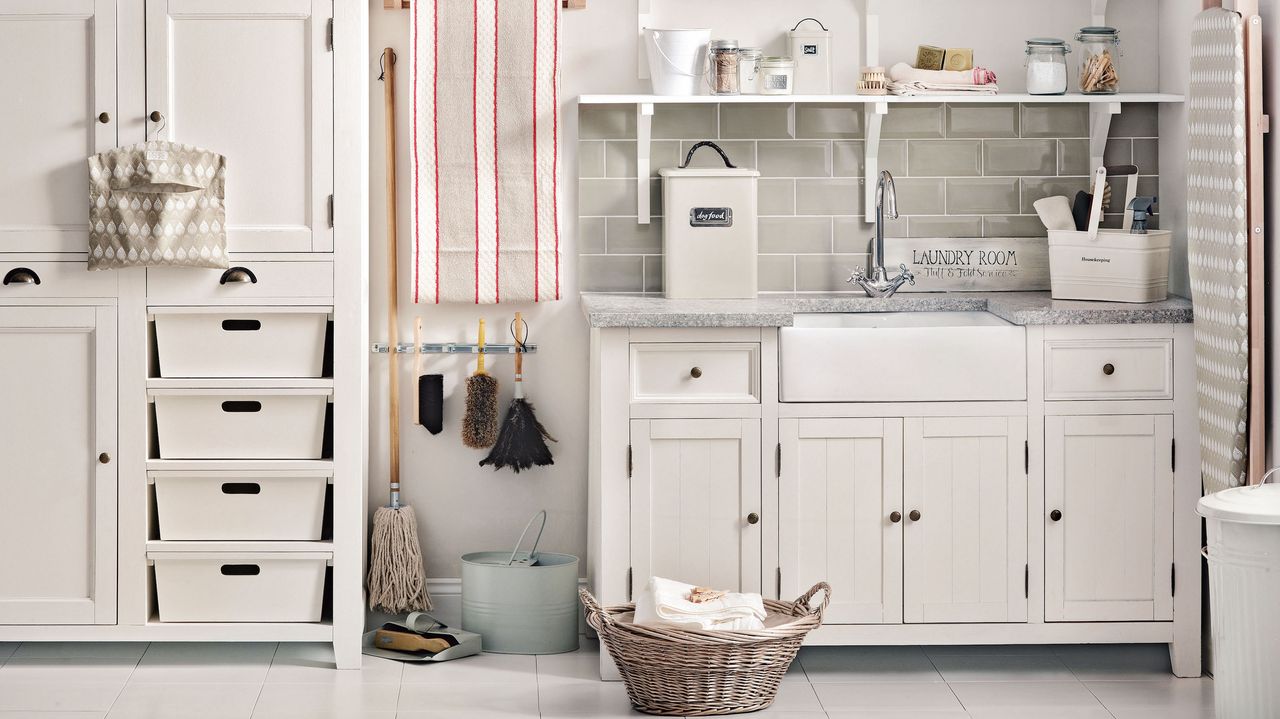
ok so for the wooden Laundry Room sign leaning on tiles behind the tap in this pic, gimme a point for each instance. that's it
(972, 264)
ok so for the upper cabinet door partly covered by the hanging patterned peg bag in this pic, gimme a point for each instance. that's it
(252, 80)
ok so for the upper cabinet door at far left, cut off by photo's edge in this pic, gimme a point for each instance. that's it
(60, 75)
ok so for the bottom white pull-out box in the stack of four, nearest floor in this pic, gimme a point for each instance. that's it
(199, 587)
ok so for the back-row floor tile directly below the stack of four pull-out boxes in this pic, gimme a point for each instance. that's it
(204, 662)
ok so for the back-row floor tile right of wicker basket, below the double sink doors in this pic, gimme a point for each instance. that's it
(867, 665)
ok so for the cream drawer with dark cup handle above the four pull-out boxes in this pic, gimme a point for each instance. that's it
(275, 281)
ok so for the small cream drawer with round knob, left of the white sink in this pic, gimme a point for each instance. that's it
(696, 374)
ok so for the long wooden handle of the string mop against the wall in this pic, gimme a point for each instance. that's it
(392, 267)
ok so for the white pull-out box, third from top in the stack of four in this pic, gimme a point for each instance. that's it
(240, 506)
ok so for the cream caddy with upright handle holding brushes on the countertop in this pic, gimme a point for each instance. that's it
(1109, 265)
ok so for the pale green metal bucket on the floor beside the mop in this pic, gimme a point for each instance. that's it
(522, 604)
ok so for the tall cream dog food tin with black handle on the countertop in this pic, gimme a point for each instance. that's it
(710, 231)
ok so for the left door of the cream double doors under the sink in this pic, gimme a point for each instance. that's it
(842, 482)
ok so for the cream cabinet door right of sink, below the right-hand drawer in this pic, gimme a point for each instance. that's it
(1109, 555)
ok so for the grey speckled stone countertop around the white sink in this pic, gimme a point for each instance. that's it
(1026, 309)
